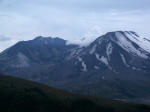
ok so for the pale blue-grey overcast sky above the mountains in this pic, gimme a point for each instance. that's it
(70, 19)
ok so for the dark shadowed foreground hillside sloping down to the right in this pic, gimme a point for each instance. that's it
(18, 95)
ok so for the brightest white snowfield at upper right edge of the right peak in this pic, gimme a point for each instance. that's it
(141, 42)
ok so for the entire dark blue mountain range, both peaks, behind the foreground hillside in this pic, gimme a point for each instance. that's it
(115, 65)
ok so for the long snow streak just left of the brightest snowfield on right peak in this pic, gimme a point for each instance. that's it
(127, 45)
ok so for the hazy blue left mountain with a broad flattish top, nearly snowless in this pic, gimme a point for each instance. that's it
(34, 57)
